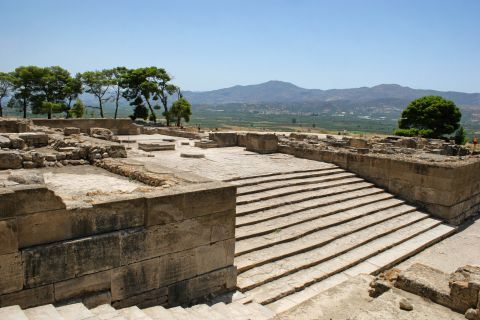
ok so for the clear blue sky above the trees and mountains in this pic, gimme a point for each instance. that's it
(205, 44)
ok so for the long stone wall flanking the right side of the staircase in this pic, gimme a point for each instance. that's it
(450, 191)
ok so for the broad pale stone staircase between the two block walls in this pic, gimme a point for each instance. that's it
(300, 233)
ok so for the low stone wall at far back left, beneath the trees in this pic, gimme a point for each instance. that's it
(117, 126)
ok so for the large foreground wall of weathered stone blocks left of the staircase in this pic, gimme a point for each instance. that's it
(168, 249)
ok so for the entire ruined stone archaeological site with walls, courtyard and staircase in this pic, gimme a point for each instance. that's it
(111, 219)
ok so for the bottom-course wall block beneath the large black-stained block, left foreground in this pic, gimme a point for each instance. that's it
(82, 286)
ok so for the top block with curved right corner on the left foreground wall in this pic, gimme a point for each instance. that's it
(44, 199)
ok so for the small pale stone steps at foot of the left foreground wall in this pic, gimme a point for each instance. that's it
(78, 311)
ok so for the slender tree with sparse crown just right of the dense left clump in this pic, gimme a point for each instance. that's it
(98, 84)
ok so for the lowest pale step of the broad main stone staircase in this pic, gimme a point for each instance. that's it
(277, 289)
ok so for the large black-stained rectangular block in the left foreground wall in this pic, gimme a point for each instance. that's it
(61, 261)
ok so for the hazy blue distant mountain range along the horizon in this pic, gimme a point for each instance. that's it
(285, 92)
